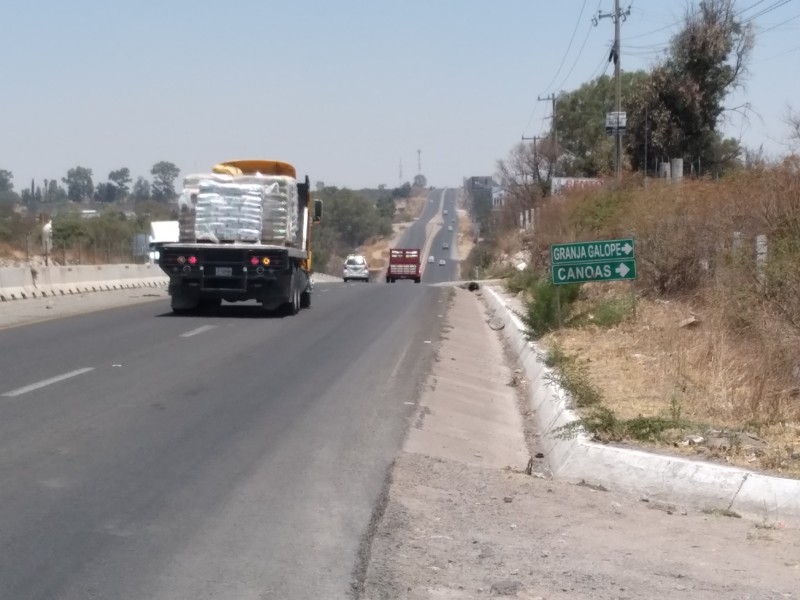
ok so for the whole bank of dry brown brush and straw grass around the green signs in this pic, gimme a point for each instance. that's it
(737, 368)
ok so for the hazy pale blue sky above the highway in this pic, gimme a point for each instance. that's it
(344, 89)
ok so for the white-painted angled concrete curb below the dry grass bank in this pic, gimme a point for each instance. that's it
(659, 477)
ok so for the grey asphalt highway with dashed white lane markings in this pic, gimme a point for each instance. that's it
(228, 455)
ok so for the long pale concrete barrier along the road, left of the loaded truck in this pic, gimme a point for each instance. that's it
(22, 283)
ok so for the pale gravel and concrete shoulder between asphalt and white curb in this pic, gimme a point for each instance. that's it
(462, 518)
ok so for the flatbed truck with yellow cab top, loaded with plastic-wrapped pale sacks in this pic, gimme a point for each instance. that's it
(244, 234)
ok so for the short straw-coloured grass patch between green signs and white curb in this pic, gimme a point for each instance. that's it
(651, 367)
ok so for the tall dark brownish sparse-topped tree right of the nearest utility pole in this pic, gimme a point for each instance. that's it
(680, 105)
